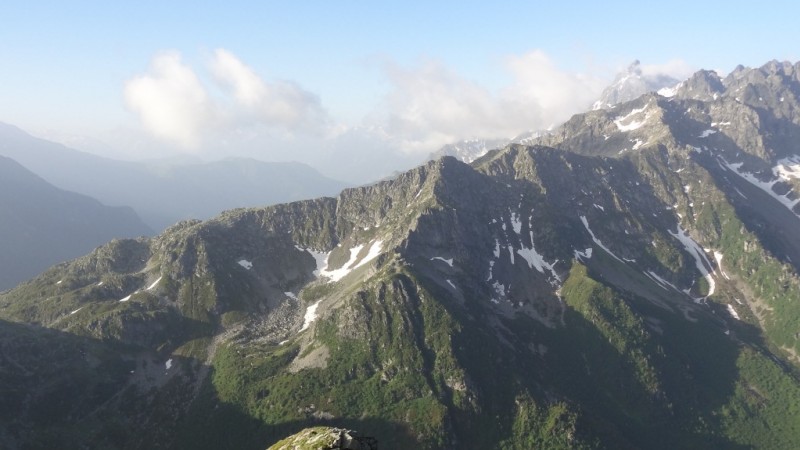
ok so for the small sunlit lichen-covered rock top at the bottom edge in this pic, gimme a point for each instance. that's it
(325, 438)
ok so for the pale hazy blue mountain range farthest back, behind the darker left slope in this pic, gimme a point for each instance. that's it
(165, 192)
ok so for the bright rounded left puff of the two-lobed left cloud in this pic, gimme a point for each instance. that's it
(170, 100)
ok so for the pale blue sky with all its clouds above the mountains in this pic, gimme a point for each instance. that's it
(355, 89)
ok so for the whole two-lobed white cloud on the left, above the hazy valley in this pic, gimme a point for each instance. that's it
(173, 104)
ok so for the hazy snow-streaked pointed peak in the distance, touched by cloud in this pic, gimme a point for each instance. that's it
(630, 84)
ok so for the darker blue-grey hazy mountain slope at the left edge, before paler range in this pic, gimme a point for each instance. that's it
(41, 225)
